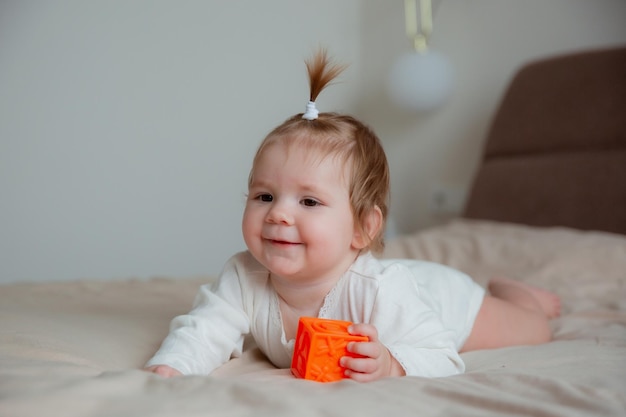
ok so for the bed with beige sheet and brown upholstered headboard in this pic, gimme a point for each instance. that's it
(547, 206)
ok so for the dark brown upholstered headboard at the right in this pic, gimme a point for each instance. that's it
(556, 151)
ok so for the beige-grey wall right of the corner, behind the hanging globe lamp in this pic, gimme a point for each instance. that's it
(486, 41)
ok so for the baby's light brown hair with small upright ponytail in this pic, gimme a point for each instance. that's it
(345, 137)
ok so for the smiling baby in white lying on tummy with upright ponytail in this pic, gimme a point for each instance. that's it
(315, 212)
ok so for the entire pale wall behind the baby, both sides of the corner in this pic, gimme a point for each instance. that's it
(127, 127)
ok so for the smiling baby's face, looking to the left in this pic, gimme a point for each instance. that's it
(298, 220)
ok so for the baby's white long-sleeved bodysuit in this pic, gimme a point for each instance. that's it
(423, 312)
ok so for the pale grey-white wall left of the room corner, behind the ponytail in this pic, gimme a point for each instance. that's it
(127, 128)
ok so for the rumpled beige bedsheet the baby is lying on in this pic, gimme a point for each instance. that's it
(74, 349)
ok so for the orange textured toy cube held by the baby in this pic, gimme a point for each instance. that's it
(320, 343)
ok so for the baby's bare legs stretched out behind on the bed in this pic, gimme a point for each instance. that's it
(514, 314)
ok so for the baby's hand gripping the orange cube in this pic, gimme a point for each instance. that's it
(377, 361)
